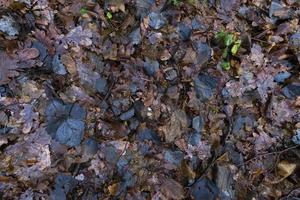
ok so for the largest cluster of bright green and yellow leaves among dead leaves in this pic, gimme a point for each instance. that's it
(231, 44)
